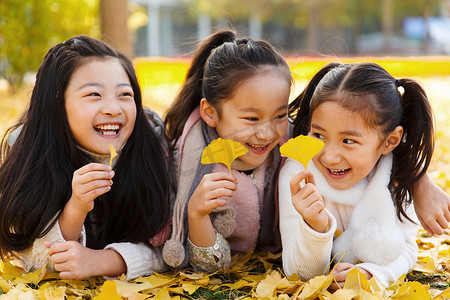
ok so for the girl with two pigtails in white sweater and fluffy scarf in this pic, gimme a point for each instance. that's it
(357, 205)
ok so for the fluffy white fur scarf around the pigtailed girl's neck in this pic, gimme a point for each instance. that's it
(373, 234)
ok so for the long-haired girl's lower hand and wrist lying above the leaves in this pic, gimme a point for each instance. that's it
(75, 261)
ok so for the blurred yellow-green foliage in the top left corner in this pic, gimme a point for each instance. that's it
(28, 28)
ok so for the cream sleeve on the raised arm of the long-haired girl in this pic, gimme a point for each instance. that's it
(36, 257)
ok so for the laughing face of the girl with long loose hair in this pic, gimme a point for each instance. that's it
(100, 106)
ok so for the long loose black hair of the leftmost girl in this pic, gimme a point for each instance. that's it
(36, 171)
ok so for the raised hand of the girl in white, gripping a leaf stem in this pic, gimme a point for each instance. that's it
(309, 202)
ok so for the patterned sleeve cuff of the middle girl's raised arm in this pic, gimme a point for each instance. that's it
(210, 259)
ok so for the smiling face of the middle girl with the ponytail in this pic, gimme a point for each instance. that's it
(255, 116)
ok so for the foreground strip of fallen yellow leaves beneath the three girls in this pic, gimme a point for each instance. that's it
(253, 275)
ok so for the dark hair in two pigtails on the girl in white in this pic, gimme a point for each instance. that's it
(369, 89)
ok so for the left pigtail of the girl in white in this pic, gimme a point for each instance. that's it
(299, 109)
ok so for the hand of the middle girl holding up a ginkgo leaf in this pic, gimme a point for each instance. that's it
(208, 193)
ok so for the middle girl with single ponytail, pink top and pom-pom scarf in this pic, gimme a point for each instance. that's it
(236, 88)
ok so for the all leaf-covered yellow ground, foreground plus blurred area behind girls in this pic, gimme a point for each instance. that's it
(253, 275)
